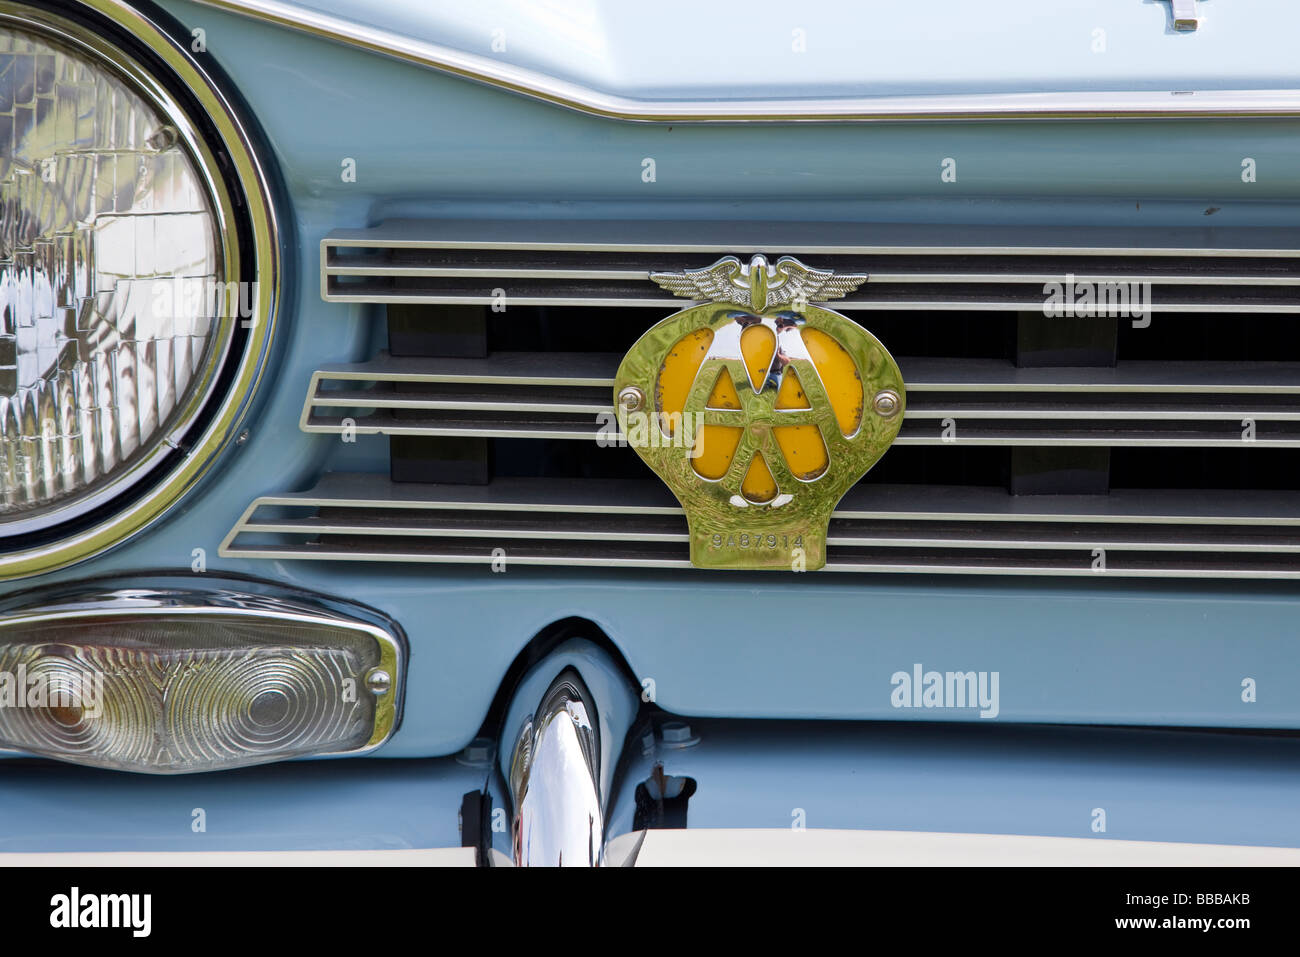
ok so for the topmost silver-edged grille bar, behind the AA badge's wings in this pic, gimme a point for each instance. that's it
(911, 267)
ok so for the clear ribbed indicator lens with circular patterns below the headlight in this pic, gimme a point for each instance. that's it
(189, 694)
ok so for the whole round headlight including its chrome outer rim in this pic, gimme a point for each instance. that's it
(137, 278)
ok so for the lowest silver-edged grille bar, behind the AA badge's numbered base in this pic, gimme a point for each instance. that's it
(876, 529)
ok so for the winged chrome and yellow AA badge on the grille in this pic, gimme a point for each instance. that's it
(759, 409)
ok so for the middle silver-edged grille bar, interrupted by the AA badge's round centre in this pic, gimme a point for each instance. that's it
(1190, 405)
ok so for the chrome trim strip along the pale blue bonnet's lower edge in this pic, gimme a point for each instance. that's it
(946, 107)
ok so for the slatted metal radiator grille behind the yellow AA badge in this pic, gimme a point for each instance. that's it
(1234, 396)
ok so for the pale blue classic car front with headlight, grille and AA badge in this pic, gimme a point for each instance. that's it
(833, 434)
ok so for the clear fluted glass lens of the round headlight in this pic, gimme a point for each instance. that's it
(111, 280)
